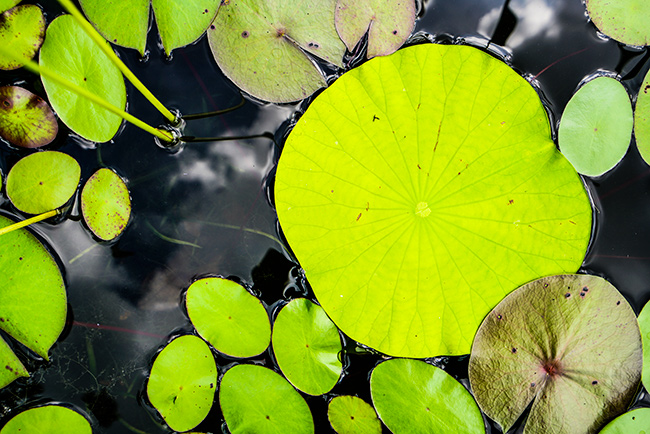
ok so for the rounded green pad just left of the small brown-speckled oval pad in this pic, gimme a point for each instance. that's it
(43, 181)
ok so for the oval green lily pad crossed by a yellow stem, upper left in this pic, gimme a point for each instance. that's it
(71, 53)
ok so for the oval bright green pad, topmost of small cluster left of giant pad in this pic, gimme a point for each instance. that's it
(227, 316)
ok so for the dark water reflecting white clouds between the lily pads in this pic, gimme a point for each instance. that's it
(205, 210)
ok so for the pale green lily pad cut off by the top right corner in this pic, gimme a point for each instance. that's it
(624, 20)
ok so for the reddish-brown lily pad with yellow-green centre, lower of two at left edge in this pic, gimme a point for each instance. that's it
(25, 119)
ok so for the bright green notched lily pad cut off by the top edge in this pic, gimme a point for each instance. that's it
(179, 22)
